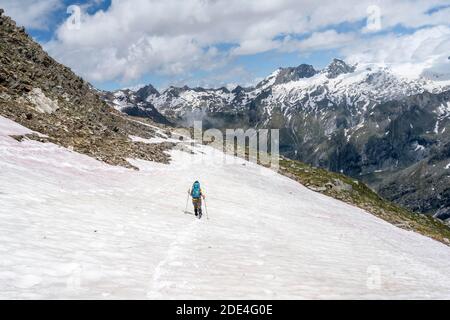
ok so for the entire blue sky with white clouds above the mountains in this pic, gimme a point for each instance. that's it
(215, 43)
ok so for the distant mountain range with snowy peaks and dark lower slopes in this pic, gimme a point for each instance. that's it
(367, 121)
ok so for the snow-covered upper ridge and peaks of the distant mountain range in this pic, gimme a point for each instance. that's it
(302, 87)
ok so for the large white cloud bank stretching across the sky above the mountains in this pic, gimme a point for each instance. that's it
(135, 37)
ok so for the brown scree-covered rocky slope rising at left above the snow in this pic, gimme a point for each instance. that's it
(62, 108)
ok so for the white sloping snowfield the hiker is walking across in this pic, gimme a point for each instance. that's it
(73, 227)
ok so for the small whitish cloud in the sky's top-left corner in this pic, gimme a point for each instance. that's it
(31, 13)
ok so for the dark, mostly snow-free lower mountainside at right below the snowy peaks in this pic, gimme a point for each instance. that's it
(404, 158)
